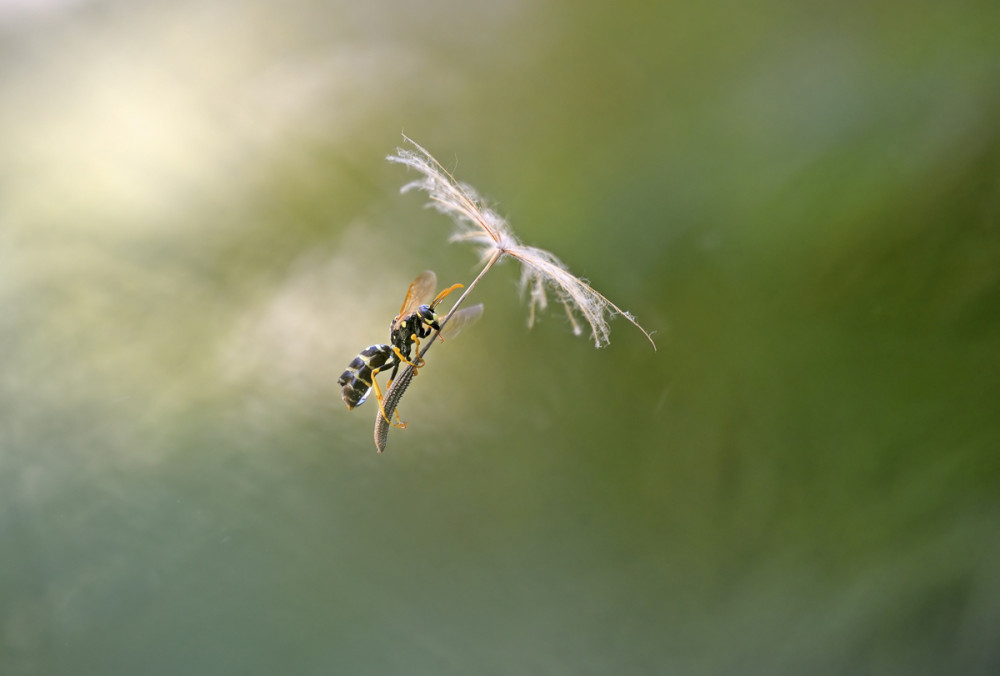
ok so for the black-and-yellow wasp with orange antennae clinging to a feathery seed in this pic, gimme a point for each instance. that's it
(416, 319)
